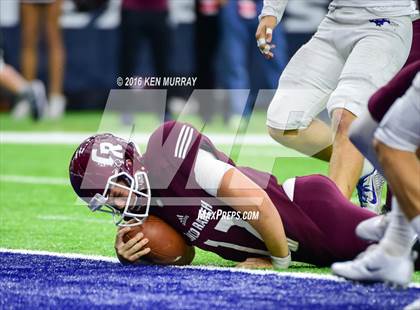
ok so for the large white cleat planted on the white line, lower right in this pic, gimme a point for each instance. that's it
(376, 265)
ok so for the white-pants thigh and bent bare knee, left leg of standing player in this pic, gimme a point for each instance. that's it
(304, 87)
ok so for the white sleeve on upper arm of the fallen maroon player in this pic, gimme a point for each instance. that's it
(209, 171)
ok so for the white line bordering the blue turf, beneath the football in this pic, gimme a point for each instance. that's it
(303, 275)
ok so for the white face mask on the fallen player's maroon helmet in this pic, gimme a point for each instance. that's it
(137, 202)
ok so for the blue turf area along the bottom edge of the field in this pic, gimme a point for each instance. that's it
(41, 281)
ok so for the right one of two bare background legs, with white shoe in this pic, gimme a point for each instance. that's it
(56, 58)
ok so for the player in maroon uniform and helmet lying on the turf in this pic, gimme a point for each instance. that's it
(182, 175)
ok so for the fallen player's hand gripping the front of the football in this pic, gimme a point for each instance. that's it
(132, 250)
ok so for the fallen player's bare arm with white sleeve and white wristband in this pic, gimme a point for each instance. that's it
(242, 194)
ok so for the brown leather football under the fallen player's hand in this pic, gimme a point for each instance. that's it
(167, 246)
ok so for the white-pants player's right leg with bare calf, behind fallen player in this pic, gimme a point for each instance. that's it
(374, 60)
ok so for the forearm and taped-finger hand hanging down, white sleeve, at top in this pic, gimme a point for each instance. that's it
(270, 16)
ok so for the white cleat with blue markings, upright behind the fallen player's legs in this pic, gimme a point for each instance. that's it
(369, 191)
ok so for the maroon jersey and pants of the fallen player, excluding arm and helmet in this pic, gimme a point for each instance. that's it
(320, 232)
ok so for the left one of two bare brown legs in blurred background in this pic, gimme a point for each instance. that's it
(29, 40)
